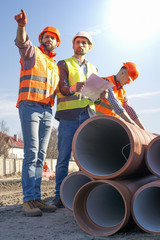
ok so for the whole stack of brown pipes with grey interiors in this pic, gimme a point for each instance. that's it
(119, 177)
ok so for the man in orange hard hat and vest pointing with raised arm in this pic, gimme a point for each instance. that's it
(38, 82)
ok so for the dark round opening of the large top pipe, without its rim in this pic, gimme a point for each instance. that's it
(102, 147)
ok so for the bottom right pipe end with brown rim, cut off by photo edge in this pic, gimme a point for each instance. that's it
(145, 207)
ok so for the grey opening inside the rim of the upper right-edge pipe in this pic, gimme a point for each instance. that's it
(153, 157)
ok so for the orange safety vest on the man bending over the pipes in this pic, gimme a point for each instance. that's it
(104, 107)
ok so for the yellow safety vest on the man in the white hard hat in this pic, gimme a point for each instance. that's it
(75, 75)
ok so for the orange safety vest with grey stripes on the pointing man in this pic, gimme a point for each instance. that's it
(39, 83)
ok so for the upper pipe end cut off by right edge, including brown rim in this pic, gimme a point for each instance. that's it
(152, 156)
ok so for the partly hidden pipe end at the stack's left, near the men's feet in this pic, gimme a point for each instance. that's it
(70, 185)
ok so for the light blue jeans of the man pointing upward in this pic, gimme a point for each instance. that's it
(36, 122)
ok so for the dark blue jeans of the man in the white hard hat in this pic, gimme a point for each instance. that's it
(66, 131)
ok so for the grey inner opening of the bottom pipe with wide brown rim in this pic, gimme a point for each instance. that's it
(105, 206)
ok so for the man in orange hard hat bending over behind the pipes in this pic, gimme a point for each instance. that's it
(117, 103)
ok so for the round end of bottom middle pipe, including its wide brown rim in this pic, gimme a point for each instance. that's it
(102, 207)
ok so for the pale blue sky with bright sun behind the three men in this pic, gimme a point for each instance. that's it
(122, 31)
